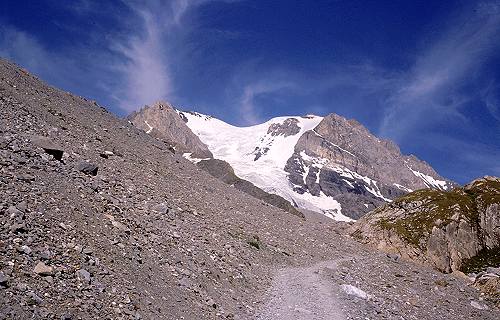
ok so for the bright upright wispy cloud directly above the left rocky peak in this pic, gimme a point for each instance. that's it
(146, 72)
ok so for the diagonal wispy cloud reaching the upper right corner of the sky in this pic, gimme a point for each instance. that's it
(432, 89)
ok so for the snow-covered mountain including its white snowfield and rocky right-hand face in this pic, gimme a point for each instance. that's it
(326, 164)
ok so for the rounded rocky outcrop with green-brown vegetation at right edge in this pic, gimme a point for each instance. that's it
(456, 230)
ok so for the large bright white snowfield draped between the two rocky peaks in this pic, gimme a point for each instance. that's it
(237, 146)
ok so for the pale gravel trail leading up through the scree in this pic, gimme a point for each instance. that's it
(303, 293)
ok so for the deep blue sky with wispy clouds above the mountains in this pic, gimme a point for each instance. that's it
(425, 74)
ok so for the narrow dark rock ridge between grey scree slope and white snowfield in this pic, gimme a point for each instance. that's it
(223, 171)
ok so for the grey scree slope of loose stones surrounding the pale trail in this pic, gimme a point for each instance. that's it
(120, 227)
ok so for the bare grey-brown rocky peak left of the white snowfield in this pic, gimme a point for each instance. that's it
(162, 121)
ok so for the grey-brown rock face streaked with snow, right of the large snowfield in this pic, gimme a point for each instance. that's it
(343, 160)
